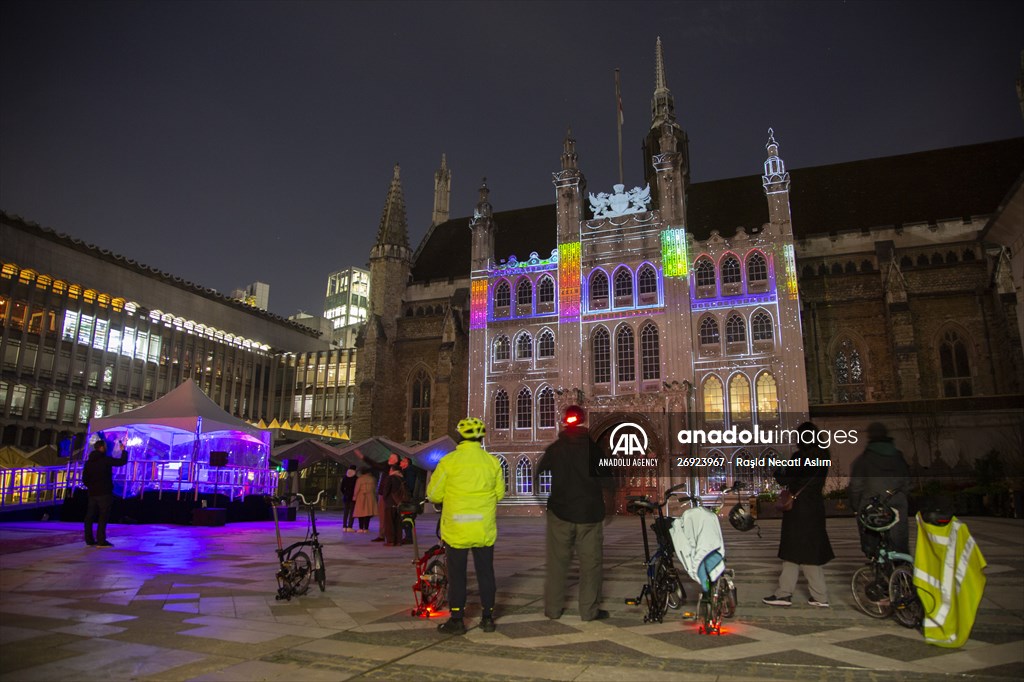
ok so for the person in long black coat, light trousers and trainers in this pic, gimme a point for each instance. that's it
(804, 546)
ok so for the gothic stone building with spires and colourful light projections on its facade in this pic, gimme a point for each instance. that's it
(850, 292)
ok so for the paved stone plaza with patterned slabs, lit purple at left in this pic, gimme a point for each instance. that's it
(198, 604)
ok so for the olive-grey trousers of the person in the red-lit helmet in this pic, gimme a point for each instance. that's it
(588, 540)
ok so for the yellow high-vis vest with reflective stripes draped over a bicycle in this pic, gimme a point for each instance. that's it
(949, 574)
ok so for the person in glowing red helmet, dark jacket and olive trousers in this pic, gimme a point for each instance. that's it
(575, 518)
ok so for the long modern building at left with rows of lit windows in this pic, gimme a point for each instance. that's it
(88, 333)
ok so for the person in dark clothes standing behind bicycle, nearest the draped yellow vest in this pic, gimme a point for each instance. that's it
(879, 472)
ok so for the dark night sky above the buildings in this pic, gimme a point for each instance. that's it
(233, 142)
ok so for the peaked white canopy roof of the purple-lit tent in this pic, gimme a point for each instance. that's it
(186, 409)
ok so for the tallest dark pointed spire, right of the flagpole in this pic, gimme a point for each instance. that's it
(666, 144)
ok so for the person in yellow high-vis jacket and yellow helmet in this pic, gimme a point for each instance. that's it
(468, 483)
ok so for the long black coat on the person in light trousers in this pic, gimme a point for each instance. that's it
(805, 539)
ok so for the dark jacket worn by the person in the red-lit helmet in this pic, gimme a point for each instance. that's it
(577, 497)
